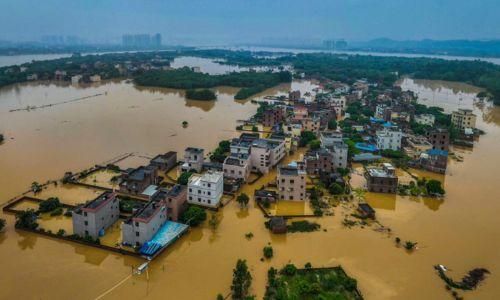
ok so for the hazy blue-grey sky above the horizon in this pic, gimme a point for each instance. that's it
(223, 21)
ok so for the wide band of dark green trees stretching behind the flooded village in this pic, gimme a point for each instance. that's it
(151, 69)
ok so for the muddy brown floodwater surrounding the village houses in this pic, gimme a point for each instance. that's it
(461, 232)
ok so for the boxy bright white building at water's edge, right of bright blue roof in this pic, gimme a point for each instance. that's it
(206, 189)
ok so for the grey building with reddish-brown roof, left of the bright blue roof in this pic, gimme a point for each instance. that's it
(93, 218)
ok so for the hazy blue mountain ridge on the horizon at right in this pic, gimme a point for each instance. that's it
(482, 48)
